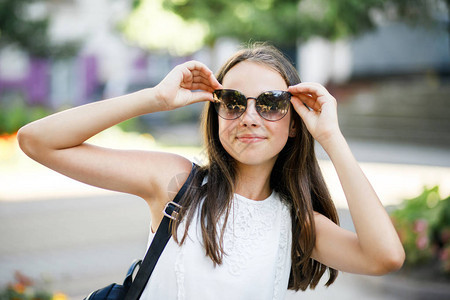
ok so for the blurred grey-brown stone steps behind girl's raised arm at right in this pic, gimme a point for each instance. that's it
(410, 111)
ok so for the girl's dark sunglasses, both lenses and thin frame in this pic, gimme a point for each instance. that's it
(271, 105)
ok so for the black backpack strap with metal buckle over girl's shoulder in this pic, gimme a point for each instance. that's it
(162, 236)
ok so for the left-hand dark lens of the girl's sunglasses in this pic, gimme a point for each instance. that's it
(229, 104)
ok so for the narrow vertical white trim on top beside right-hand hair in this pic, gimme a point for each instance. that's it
(284, 249)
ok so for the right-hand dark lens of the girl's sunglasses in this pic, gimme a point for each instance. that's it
(273, 105)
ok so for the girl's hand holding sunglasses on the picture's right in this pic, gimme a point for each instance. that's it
(318, 109)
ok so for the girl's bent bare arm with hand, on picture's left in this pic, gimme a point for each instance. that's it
(58, 141)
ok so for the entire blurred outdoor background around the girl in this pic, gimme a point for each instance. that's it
(386, 61)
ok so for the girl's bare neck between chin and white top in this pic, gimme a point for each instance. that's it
(253, 182)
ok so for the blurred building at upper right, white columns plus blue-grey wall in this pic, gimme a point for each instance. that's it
(393, 48)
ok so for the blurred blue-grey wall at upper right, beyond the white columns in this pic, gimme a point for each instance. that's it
(396, 48)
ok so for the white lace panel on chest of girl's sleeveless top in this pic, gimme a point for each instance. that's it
(245, 232)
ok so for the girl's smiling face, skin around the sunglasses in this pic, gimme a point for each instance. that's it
(250, 139)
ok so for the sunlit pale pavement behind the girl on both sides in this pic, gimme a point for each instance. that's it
(81, 238)
